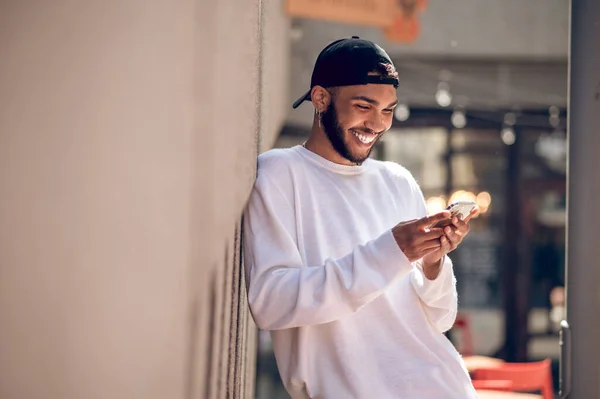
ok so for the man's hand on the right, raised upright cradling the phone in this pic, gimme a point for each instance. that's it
(453, 236)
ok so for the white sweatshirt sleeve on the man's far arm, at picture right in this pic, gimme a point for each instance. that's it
(438, 296)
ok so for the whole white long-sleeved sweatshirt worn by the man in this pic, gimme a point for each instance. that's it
(350, 316)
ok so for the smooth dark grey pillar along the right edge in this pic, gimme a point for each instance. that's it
(583, 250)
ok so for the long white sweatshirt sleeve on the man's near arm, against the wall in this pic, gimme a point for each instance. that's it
(283, 292)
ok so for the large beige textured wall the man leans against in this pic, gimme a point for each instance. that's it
(128, 139)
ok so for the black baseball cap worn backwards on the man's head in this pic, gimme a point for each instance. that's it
(348, 62)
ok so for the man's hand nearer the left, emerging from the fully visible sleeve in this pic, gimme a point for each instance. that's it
(415, 238)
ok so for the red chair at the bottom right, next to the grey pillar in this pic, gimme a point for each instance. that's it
(531, 376)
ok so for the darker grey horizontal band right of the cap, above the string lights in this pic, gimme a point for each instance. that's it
(484, 84)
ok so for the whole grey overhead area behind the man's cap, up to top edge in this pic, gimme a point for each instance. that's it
(514, 58)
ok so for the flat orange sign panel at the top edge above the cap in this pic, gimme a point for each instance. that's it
(378, 13)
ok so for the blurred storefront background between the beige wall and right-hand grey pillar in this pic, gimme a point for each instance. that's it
(482, 116)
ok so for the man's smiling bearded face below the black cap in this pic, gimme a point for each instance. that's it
(357, 117)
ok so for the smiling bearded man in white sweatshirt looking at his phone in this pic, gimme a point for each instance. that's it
(342, 263)
